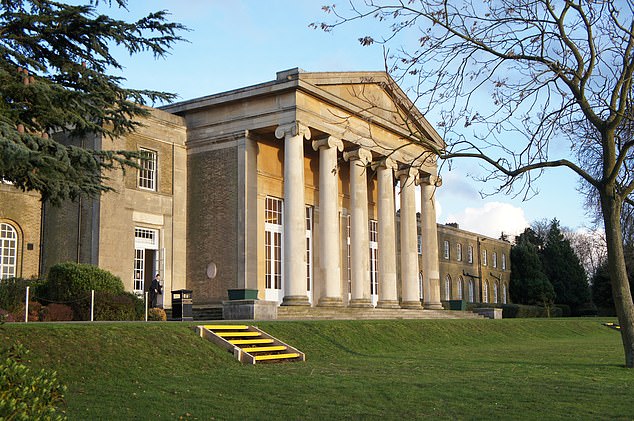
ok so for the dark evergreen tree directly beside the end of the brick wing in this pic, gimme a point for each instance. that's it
(529, 284)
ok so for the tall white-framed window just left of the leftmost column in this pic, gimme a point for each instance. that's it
(273, 243)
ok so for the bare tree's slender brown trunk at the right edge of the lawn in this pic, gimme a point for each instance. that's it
(611, 208)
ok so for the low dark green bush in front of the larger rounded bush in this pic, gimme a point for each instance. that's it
(124, 306)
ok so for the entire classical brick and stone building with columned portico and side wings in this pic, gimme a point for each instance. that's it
(286, 188)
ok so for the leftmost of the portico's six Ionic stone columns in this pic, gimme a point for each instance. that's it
(295, 292)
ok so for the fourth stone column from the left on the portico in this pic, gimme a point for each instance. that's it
(388, 296)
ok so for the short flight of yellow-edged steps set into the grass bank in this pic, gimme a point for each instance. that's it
(250, 344)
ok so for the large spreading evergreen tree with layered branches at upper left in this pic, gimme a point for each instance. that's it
(53, 77)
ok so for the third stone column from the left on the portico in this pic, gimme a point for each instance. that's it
(359, 240)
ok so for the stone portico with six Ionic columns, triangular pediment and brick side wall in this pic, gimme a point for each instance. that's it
(320, 158)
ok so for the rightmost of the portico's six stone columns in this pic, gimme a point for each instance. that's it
(431, 275)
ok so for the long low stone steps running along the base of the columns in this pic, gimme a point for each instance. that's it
(352, 313)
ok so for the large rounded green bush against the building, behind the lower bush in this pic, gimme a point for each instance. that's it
(69, 282)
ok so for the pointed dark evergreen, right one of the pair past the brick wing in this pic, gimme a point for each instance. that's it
(564, 270)
